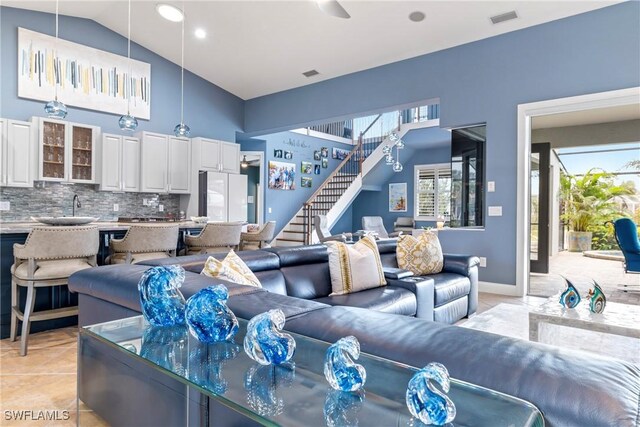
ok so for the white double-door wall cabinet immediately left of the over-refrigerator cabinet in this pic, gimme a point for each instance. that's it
(165, 164)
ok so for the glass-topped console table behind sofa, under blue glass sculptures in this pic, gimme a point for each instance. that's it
(295, 394)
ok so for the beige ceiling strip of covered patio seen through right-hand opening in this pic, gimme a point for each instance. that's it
(588, 117)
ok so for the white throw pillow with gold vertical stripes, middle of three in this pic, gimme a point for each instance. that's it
(356, 267)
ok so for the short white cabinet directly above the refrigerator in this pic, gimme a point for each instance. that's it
(216, 156)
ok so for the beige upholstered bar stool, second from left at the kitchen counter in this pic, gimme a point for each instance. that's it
(144, 242)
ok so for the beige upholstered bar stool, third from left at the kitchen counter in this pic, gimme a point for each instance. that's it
(214, 237)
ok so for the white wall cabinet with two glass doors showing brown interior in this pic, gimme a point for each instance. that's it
(67, 151)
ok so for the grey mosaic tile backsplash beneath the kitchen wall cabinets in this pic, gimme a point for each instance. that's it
(55, 199)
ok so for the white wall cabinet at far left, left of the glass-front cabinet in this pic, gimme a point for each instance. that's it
(16, 153)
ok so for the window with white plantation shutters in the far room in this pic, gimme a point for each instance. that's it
(433, 192)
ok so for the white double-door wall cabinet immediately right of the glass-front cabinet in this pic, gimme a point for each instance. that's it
(120, 163)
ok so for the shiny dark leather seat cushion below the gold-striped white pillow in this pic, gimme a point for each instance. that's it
(388, 299)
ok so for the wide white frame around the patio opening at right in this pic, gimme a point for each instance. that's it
(542, 108)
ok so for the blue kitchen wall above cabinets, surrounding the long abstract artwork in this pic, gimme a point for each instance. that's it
(209, 110)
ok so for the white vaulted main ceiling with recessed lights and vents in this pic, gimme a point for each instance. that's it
(258, 47)
